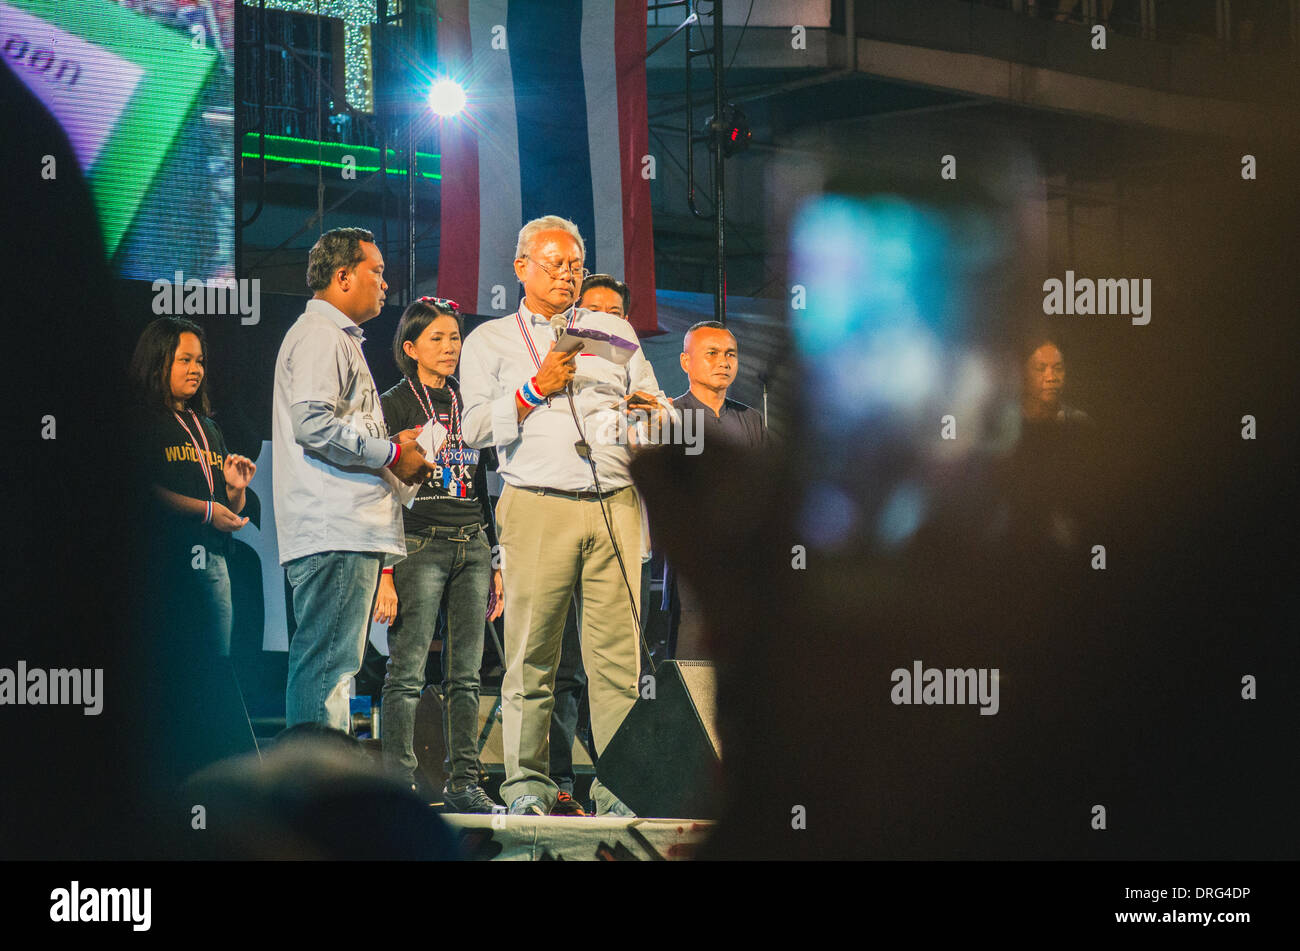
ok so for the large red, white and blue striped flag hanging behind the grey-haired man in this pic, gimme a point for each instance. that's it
(554, 124)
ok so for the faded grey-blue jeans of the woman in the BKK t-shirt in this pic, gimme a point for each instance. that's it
(441, 564)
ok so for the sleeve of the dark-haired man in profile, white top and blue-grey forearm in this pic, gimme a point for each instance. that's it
(318, 372)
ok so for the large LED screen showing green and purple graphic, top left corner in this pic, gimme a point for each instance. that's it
(145, 92)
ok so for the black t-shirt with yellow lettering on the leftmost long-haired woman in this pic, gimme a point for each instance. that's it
(167, 458)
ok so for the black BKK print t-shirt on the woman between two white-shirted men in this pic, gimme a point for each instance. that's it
(458, 493)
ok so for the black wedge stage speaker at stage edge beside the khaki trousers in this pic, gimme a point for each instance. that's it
(665, 759)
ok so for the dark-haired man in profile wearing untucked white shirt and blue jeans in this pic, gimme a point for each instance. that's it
(336, 476)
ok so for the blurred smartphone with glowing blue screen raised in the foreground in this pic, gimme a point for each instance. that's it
(903, 293)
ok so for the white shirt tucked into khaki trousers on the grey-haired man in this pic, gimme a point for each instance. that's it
(540, 453)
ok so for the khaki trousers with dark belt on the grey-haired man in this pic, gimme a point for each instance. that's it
(552, 545)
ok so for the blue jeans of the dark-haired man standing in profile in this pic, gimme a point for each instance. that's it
(333, 600)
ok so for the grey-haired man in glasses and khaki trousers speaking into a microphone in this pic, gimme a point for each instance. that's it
(553, 511)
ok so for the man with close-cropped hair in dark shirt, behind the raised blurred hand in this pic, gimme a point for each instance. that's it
(712, 359)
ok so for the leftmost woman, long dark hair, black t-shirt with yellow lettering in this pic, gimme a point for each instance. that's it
(197, 488)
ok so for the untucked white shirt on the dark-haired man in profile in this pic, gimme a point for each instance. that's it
(330, 444)
